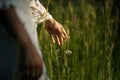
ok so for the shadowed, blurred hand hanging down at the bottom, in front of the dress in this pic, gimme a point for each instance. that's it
(33, 65)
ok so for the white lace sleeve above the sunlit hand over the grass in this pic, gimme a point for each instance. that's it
(40, 14)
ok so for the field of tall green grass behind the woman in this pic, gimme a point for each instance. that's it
(93, 50)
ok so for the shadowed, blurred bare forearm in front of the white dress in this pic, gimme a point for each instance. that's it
(11, 19)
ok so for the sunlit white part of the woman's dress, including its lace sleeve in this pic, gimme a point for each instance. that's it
(23, 10)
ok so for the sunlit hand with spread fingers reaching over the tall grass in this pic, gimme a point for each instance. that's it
(56, 31)
